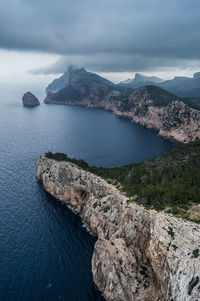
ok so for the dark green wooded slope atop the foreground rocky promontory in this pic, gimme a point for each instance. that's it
(171, 182)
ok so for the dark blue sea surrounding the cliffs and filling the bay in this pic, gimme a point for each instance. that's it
(45, 253)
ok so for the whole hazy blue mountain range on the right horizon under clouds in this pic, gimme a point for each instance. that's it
(180, 85)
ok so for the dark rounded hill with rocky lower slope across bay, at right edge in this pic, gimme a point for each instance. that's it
(156, 108)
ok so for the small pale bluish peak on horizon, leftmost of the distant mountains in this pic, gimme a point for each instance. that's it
(140, 80)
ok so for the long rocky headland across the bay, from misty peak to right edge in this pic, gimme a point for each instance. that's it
(149, 106)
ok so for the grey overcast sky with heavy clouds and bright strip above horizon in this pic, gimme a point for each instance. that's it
(40, 38)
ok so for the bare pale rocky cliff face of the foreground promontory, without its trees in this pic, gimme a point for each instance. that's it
(140, 254)
